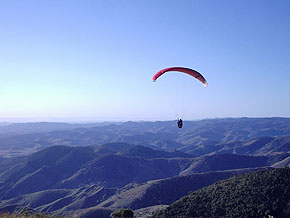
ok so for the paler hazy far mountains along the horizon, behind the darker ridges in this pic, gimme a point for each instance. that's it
(230, 135)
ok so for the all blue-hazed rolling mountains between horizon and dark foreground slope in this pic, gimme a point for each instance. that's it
(90, 171)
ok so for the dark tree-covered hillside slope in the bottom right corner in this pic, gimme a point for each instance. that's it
(259, 194)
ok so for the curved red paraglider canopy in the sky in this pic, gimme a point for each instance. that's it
(188, 71)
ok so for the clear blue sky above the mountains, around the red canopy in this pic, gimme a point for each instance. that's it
(94, 60)
